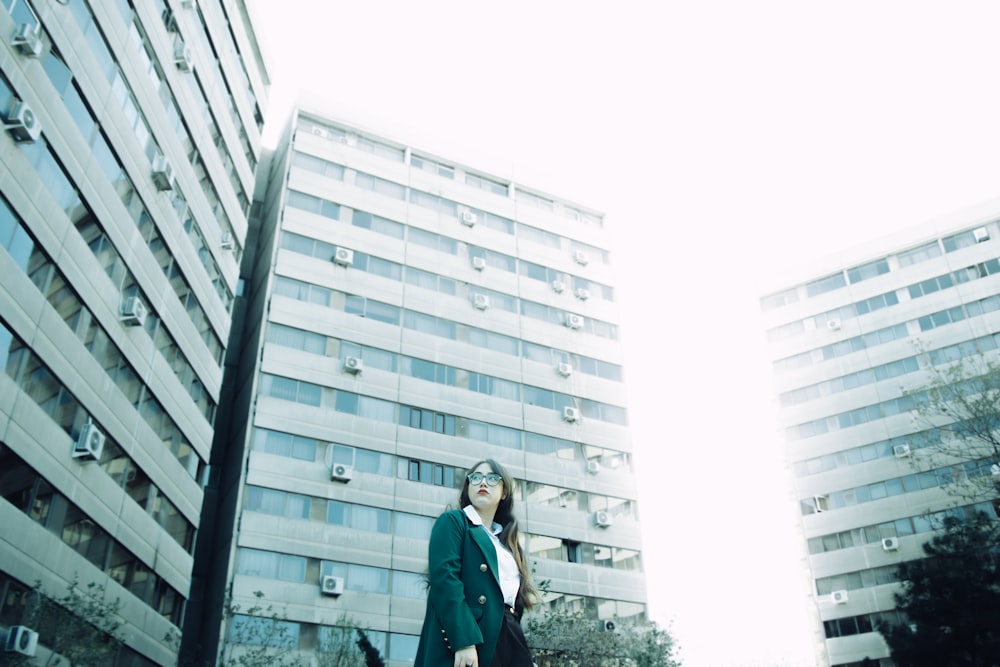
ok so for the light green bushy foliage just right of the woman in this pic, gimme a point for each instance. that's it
(560, 638)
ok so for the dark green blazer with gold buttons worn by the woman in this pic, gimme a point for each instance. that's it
(464, 604)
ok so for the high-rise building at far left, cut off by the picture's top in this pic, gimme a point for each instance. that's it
(131, 136)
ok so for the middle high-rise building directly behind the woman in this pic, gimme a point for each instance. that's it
(407, 316)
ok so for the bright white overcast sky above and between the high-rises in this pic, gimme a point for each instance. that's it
(731, 144)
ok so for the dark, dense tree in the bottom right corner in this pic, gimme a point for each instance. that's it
(951, 599)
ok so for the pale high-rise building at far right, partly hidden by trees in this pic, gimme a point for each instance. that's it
(851, 343)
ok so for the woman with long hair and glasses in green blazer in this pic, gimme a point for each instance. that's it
(479, 581)
